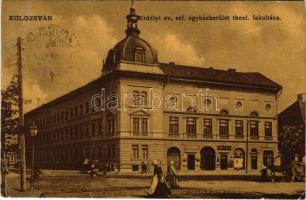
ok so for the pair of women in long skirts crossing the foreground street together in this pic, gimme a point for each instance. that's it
(160, 187)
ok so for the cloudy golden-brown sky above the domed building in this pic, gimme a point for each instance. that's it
(86, 30)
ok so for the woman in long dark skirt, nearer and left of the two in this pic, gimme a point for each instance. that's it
(159, 187)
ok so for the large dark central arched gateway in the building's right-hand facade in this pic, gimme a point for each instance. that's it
(208, 158)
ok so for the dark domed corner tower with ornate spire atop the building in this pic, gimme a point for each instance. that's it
(132, 49)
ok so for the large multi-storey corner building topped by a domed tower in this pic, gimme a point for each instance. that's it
(202, 118)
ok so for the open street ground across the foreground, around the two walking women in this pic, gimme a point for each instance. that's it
(72, 184)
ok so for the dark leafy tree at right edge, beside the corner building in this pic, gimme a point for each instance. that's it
(291, 142)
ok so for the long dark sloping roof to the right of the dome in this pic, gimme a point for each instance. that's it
(218, 76)
